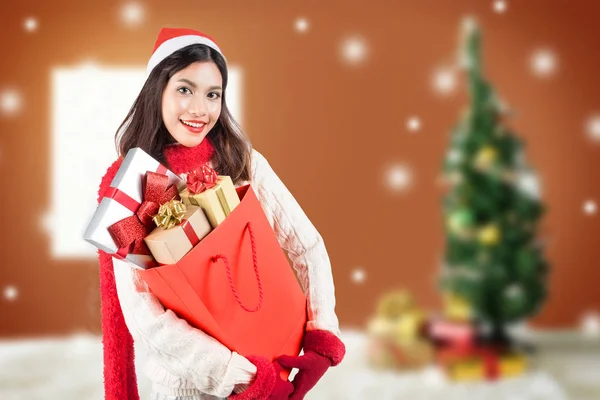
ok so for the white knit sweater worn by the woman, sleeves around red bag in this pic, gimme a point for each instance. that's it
(184, 361)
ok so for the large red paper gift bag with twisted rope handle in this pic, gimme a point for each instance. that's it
(237, 285)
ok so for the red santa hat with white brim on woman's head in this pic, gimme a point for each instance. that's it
(172, 39)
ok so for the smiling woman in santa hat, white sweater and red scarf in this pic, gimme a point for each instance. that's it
(181, 119)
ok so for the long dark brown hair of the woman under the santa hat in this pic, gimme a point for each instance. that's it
(144, 127)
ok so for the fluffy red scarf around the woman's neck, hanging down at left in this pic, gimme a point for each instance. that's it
(120, 382)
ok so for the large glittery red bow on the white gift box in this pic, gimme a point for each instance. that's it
(129, 233)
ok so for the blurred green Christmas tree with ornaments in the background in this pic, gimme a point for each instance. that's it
(493, 259)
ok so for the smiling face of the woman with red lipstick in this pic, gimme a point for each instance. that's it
(191, 102)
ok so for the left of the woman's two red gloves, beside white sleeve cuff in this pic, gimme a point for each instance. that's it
(267, 383)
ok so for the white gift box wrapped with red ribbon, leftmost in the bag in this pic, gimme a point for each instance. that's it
(128, 180)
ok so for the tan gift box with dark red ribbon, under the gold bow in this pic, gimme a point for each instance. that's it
(168, 246)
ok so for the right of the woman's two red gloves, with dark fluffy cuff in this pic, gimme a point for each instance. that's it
(322, 350)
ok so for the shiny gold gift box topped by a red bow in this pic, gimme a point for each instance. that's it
(217, 202)
